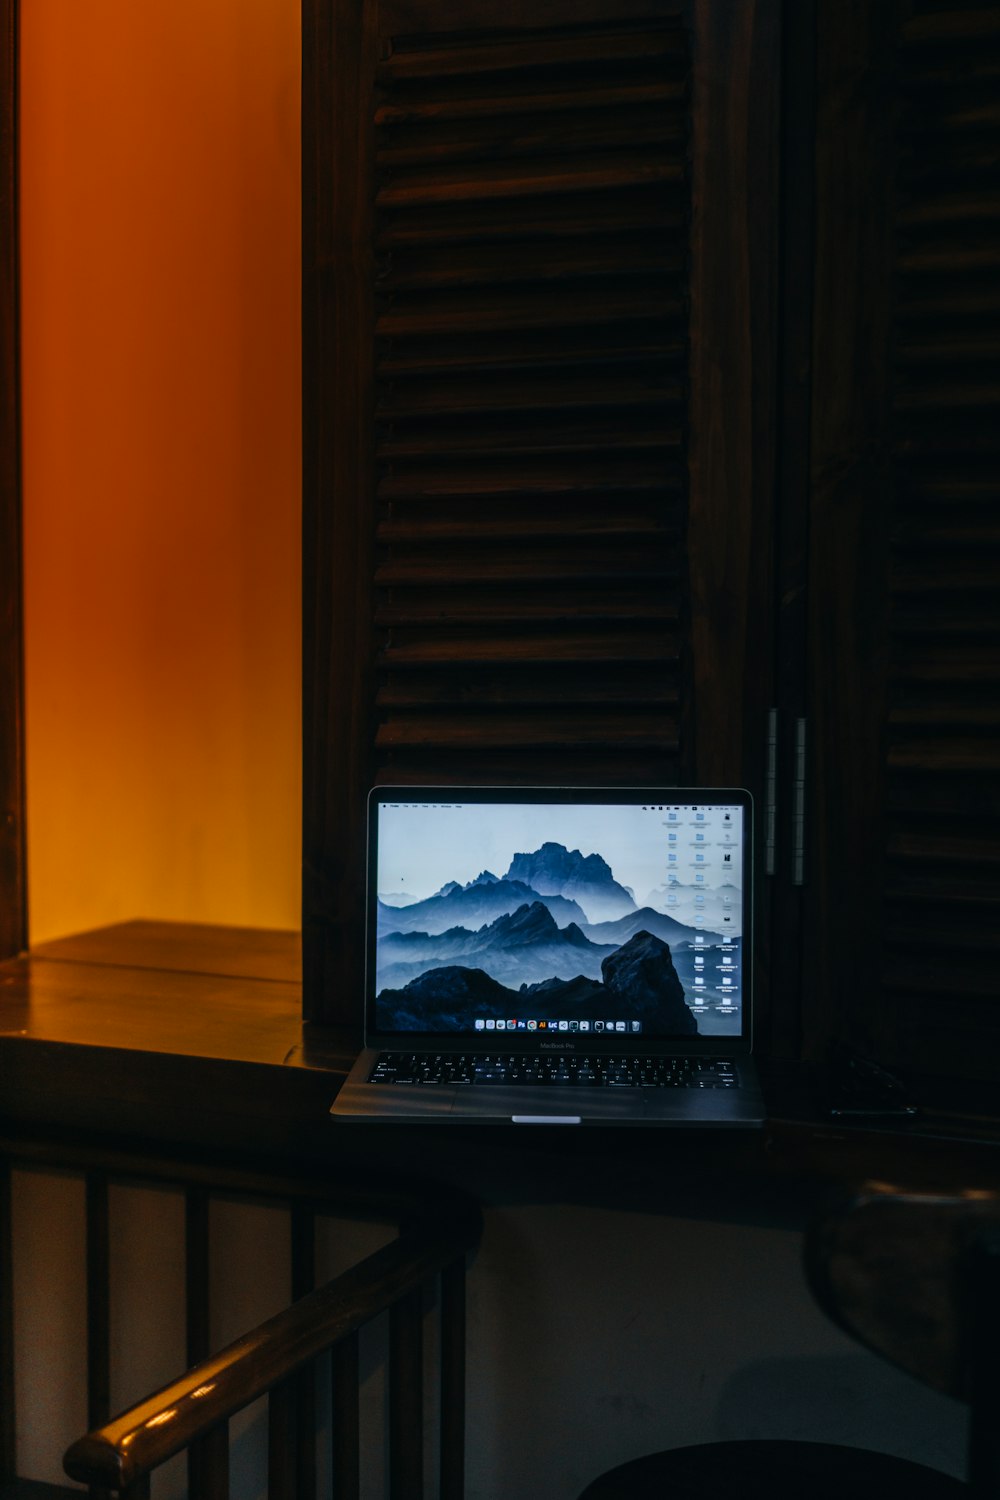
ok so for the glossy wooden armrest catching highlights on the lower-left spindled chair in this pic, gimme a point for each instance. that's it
(148, 1435)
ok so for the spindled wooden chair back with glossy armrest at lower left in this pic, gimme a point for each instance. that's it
(280, 1358)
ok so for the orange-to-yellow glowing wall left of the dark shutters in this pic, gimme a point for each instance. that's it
(161, 376)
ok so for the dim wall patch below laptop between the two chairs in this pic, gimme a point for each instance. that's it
(597, 1337)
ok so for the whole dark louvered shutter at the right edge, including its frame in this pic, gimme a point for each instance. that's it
(906, 539)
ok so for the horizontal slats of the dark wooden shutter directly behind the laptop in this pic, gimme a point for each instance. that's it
(531, 233)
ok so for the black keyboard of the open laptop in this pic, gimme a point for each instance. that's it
(600, 1072)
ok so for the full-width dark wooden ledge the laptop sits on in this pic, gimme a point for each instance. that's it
(193, 1036)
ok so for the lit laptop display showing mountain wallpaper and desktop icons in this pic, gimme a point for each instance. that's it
(512, 916)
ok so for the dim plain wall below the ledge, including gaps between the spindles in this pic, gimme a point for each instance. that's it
(593, 1337)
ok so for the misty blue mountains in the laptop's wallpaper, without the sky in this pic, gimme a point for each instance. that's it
(557, 938)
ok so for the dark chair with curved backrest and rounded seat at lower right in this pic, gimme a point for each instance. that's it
(915, 1279)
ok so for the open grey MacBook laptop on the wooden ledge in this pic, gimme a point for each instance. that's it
(558, 956)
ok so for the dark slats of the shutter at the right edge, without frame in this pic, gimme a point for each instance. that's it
(944, 664)
